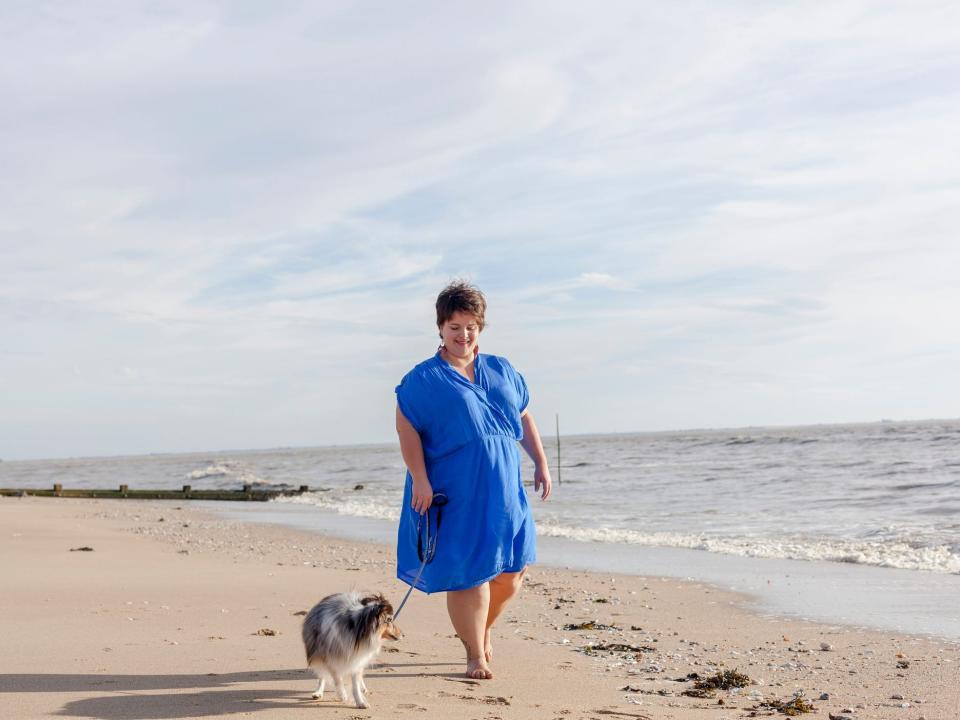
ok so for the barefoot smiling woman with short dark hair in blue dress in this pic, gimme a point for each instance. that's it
(460, 415)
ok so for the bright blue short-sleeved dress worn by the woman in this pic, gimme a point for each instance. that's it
(469, 431)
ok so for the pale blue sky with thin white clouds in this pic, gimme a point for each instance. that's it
(223, 225)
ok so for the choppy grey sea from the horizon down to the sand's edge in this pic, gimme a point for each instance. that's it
(855, 524)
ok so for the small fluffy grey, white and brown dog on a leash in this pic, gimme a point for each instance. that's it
(342, 634)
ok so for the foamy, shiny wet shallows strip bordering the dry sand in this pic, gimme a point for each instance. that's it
(860, 596)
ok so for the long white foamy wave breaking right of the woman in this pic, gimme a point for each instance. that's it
(899, 554)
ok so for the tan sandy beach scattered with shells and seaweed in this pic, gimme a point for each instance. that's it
(173, 613)
